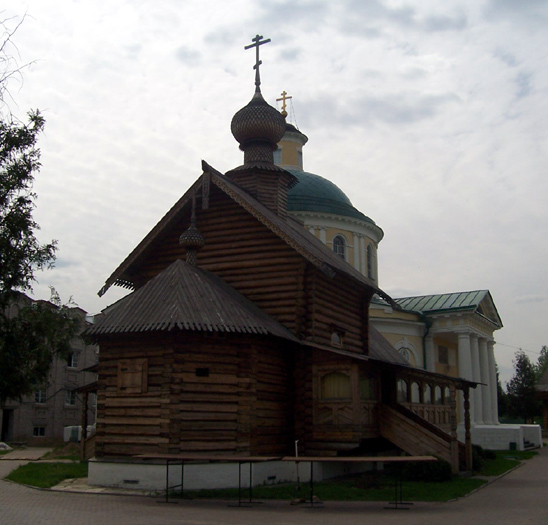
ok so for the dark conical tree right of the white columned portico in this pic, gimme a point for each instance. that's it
(522, 401)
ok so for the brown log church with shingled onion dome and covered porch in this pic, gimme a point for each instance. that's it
(244, 333)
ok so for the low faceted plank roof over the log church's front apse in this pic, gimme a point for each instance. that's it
(185, 297)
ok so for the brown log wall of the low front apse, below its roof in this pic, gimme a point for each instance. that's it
(221, 394)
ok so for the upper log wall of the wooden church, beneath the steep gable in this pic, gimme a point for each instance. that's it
(261, 266)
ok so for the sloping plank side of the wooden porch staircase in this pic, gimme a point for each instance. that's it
(418, 437)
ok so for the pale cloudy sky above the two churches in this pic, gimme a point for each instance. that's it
(431, 116)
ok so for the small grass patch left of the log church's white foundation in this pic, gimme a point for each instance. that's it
(47, 475)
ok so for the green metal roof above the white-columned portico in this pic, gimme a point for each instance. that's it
(479, 302)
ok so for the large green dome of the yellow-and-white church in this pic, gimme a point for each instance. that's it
(314, 193)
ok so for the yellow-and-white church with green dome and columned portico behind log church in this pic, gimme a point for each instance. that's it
(450, 333)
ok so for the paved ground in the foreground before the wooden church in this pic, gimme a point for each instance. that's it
(519, 497)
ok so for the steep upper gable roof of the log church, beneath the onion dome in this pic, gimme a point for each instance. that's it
(288, 229)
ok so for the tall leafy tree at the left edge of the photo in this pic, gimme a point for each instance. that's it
(30, 335)
